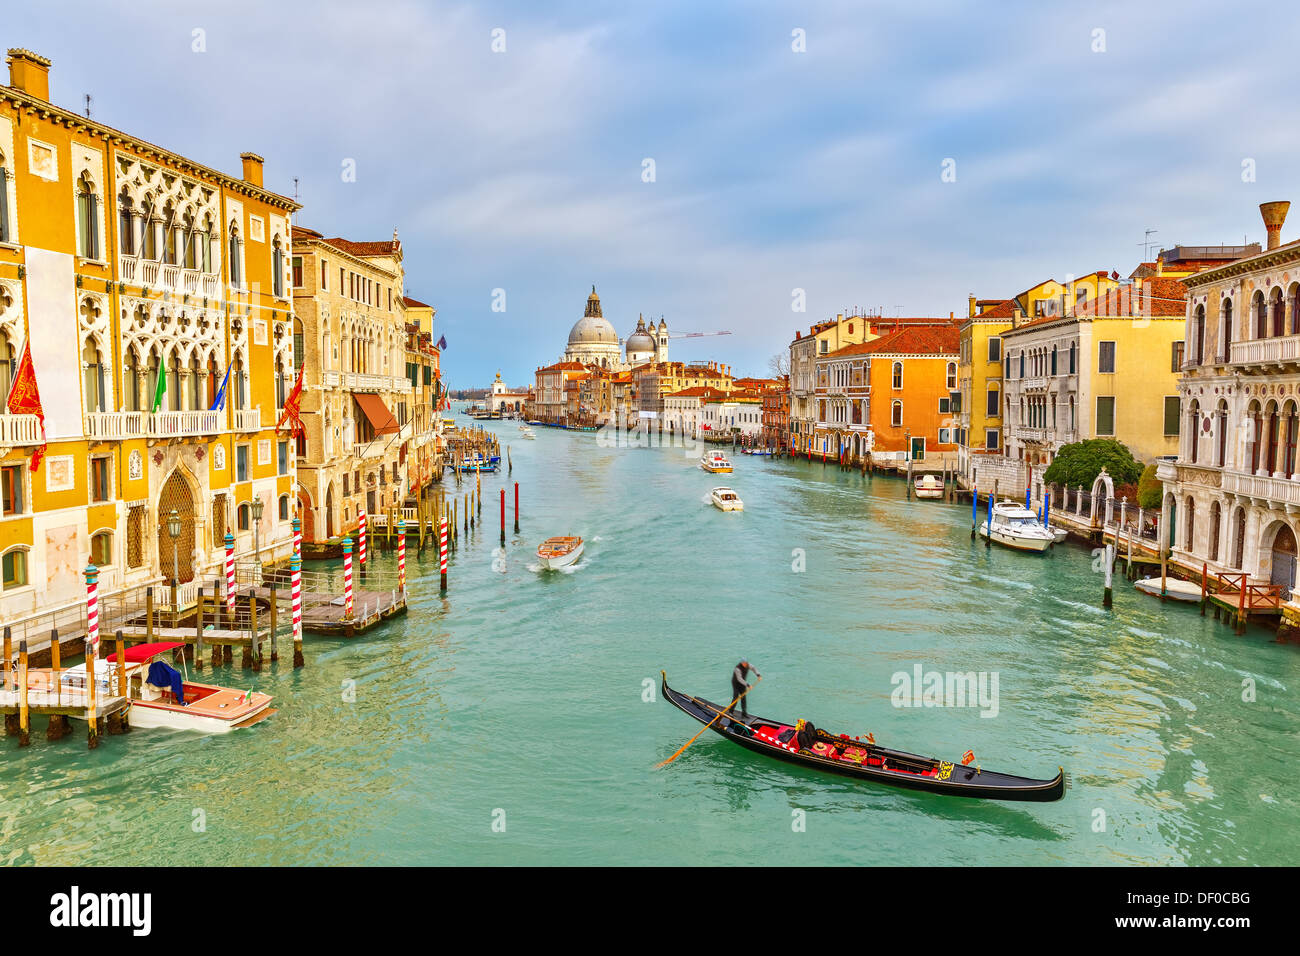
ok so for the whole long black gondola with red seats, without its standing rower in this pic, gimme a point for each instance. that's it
(866, 762)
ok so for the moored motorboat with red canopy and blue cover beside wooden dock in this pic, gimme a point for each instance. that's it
(159, 695)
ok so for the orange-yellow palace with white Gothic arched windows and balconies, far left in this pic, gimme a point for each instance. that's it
(123, 263)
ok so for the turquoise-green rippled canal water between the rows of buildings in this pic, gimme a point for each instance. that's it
(510, 723)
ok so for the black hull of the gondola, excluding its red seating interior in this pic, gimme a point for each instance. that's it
(960, 781)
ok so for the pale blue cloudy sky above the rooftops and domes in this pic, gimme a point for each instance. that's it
(707, 162)
